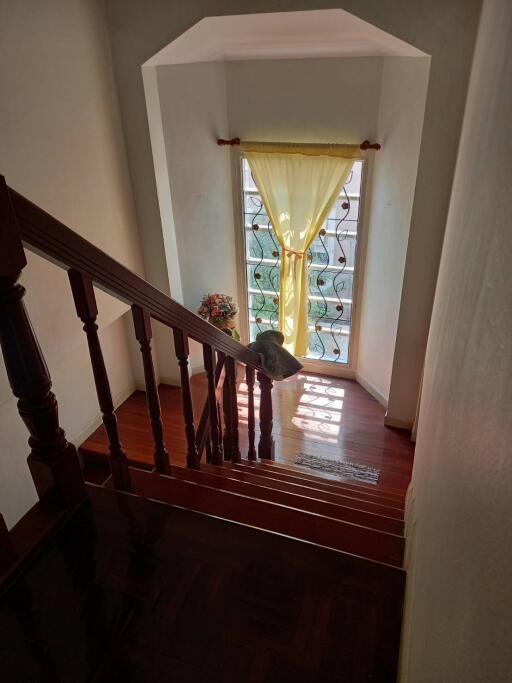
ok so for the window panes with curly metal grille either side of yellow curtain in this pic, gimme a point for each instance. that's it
(331, 270)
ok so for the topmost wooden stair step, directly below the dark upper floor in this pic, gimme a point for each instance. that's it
(324, 531)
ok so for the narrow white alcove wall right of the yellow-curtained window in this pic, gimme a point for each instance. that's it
(401, 110)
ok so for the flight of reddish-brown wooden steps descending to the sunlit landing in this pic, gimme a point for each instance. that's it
(351, 518)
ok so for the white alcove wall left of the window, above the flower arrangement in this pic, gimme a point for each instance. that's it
(194, 114)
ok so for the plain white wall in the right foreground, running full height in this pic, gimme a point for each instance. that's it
(459, 593)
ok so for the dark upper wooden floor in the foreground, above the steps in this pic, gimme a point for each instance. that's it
(135, 591)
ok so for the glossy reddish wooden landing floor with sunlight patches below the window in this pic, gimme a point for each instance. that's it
(312, 413)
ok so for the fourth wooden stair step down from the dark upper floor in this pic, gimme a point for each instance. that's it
(316, 483)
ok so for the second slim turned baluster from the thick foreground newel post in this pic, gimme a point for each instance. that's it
(143, 333)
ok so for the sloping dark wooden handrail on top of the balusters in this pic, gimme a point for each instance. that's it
(49, 237)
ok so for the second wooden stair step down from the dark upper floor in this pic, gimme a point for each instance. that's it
(227, 481)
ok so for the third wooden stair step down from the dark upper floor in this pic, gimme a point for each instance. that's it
(305, 489)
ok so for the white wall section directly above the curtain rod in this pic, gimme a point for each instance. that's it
(304, 100)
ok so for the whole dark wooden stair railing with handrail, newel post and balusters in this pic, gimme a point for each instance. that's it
(52, 460)
